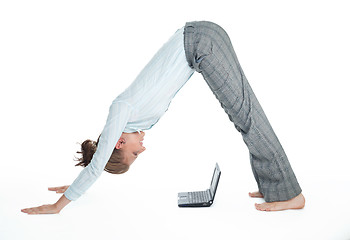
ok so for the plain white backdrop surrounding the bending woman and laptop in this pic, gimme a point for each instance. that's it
(63, 62)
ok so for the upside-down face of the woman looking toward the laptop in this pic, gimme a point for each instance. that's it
(132, 145)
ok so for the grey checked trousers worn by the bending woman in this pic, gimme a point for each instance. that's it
(209, 51)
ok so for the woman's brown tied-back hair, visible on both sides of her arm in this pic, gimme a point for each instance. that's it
(115, 163)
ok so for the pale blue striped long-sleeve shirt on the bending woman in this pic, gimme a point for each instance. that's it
(139, 107)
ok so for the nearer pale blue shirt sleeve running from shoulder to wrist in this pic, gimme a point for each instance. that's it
(118, 116)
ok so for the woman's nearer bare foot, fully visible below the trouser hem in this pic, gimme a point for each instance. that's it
(295, 203)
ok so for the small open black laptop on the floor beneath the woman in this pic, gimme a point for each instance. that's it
(201, 198)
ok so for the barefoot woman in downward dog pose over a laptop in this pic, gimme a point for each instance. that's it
(206, 48)
